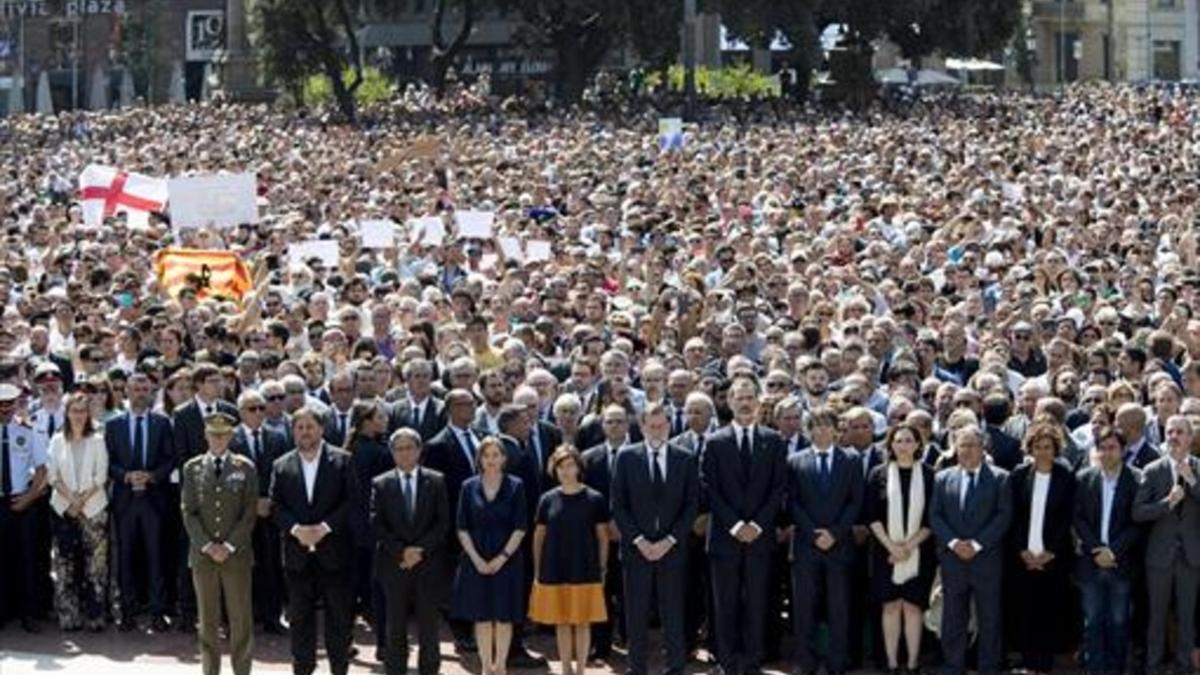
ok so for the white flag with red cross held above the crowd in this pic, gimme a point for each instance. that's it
(107, 192)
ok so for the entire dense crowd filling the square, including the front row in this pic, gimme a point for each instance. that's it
(889, 391)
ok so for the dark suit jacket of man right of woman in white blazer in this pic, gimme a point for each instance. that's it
(160, 449)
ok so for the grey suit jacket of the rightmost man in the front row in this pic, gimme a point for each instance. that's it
(1168, 525)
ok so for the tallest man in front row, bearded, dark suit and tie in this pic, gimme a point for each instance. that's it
(743, 474)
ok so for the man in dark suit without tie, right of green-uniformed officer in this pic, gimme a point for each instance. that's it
(314, 492)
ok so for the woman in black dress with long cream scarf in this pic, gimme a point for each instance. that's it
(899, 494)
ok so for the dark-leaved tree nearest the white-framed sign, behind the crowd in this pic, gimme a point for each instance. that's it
(301, 39)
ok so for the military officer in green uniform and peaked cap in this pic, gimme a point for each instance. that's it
(220, 498)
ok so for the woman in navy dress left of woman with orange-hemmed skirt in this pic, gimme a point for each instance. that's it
(489, 589)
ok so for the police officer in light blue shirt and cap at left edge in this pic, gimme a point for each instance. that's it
(22, 482)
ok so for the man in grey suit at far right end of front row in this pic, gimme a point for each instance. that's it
(1169, 501)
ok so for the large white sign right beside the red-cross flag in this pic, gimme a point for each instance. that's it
(213, 201)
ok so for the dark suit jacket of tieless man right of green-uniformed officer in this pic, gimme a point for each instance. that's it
(335, 494)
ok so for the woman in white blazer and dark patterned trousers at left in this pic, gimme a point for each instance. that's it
(79, 477)
